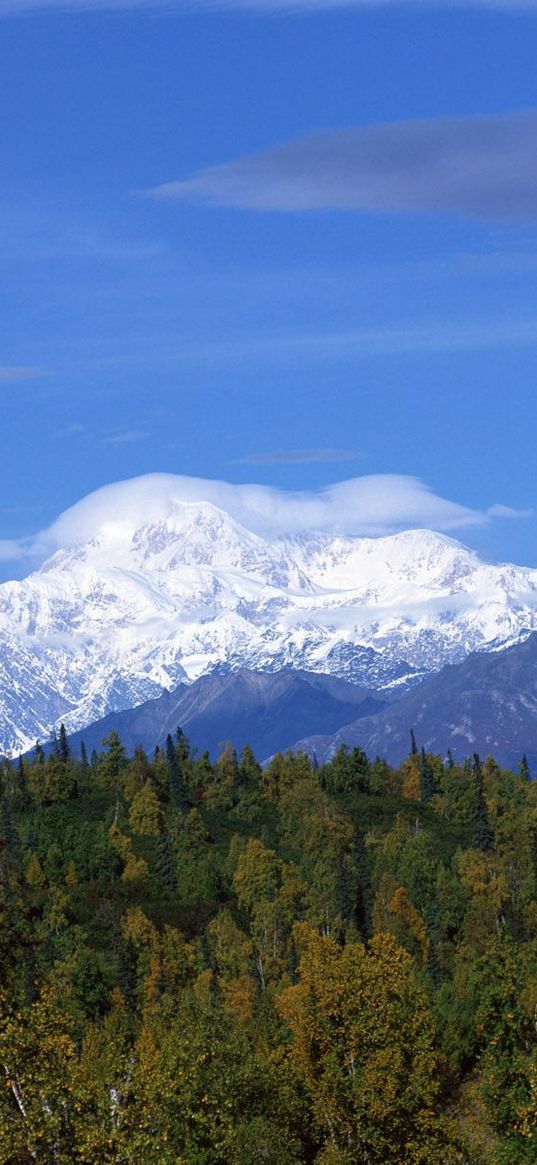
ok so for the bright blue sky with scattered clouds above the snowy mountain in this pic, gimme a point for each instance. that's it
(274, 245)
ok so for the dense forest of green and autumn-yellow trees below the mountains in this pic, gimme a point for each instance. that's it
(211, 964)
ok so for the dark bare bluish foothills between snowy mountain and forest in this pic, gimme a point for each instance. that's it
(487, 704)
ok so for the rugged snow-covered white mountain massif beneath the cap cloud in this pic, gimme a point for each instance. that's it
(144, 597)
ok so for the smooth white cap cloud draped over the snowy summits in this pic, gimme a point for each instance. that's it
(369, 506)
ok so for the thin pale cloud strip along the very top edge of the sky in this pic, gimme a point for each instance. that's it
(12, 8)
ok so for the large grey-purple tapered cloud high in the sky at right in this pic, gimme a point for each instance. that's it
(479, 167)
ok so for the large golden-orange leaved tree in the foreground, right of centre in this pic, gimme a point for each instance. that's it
(364, 1044)
